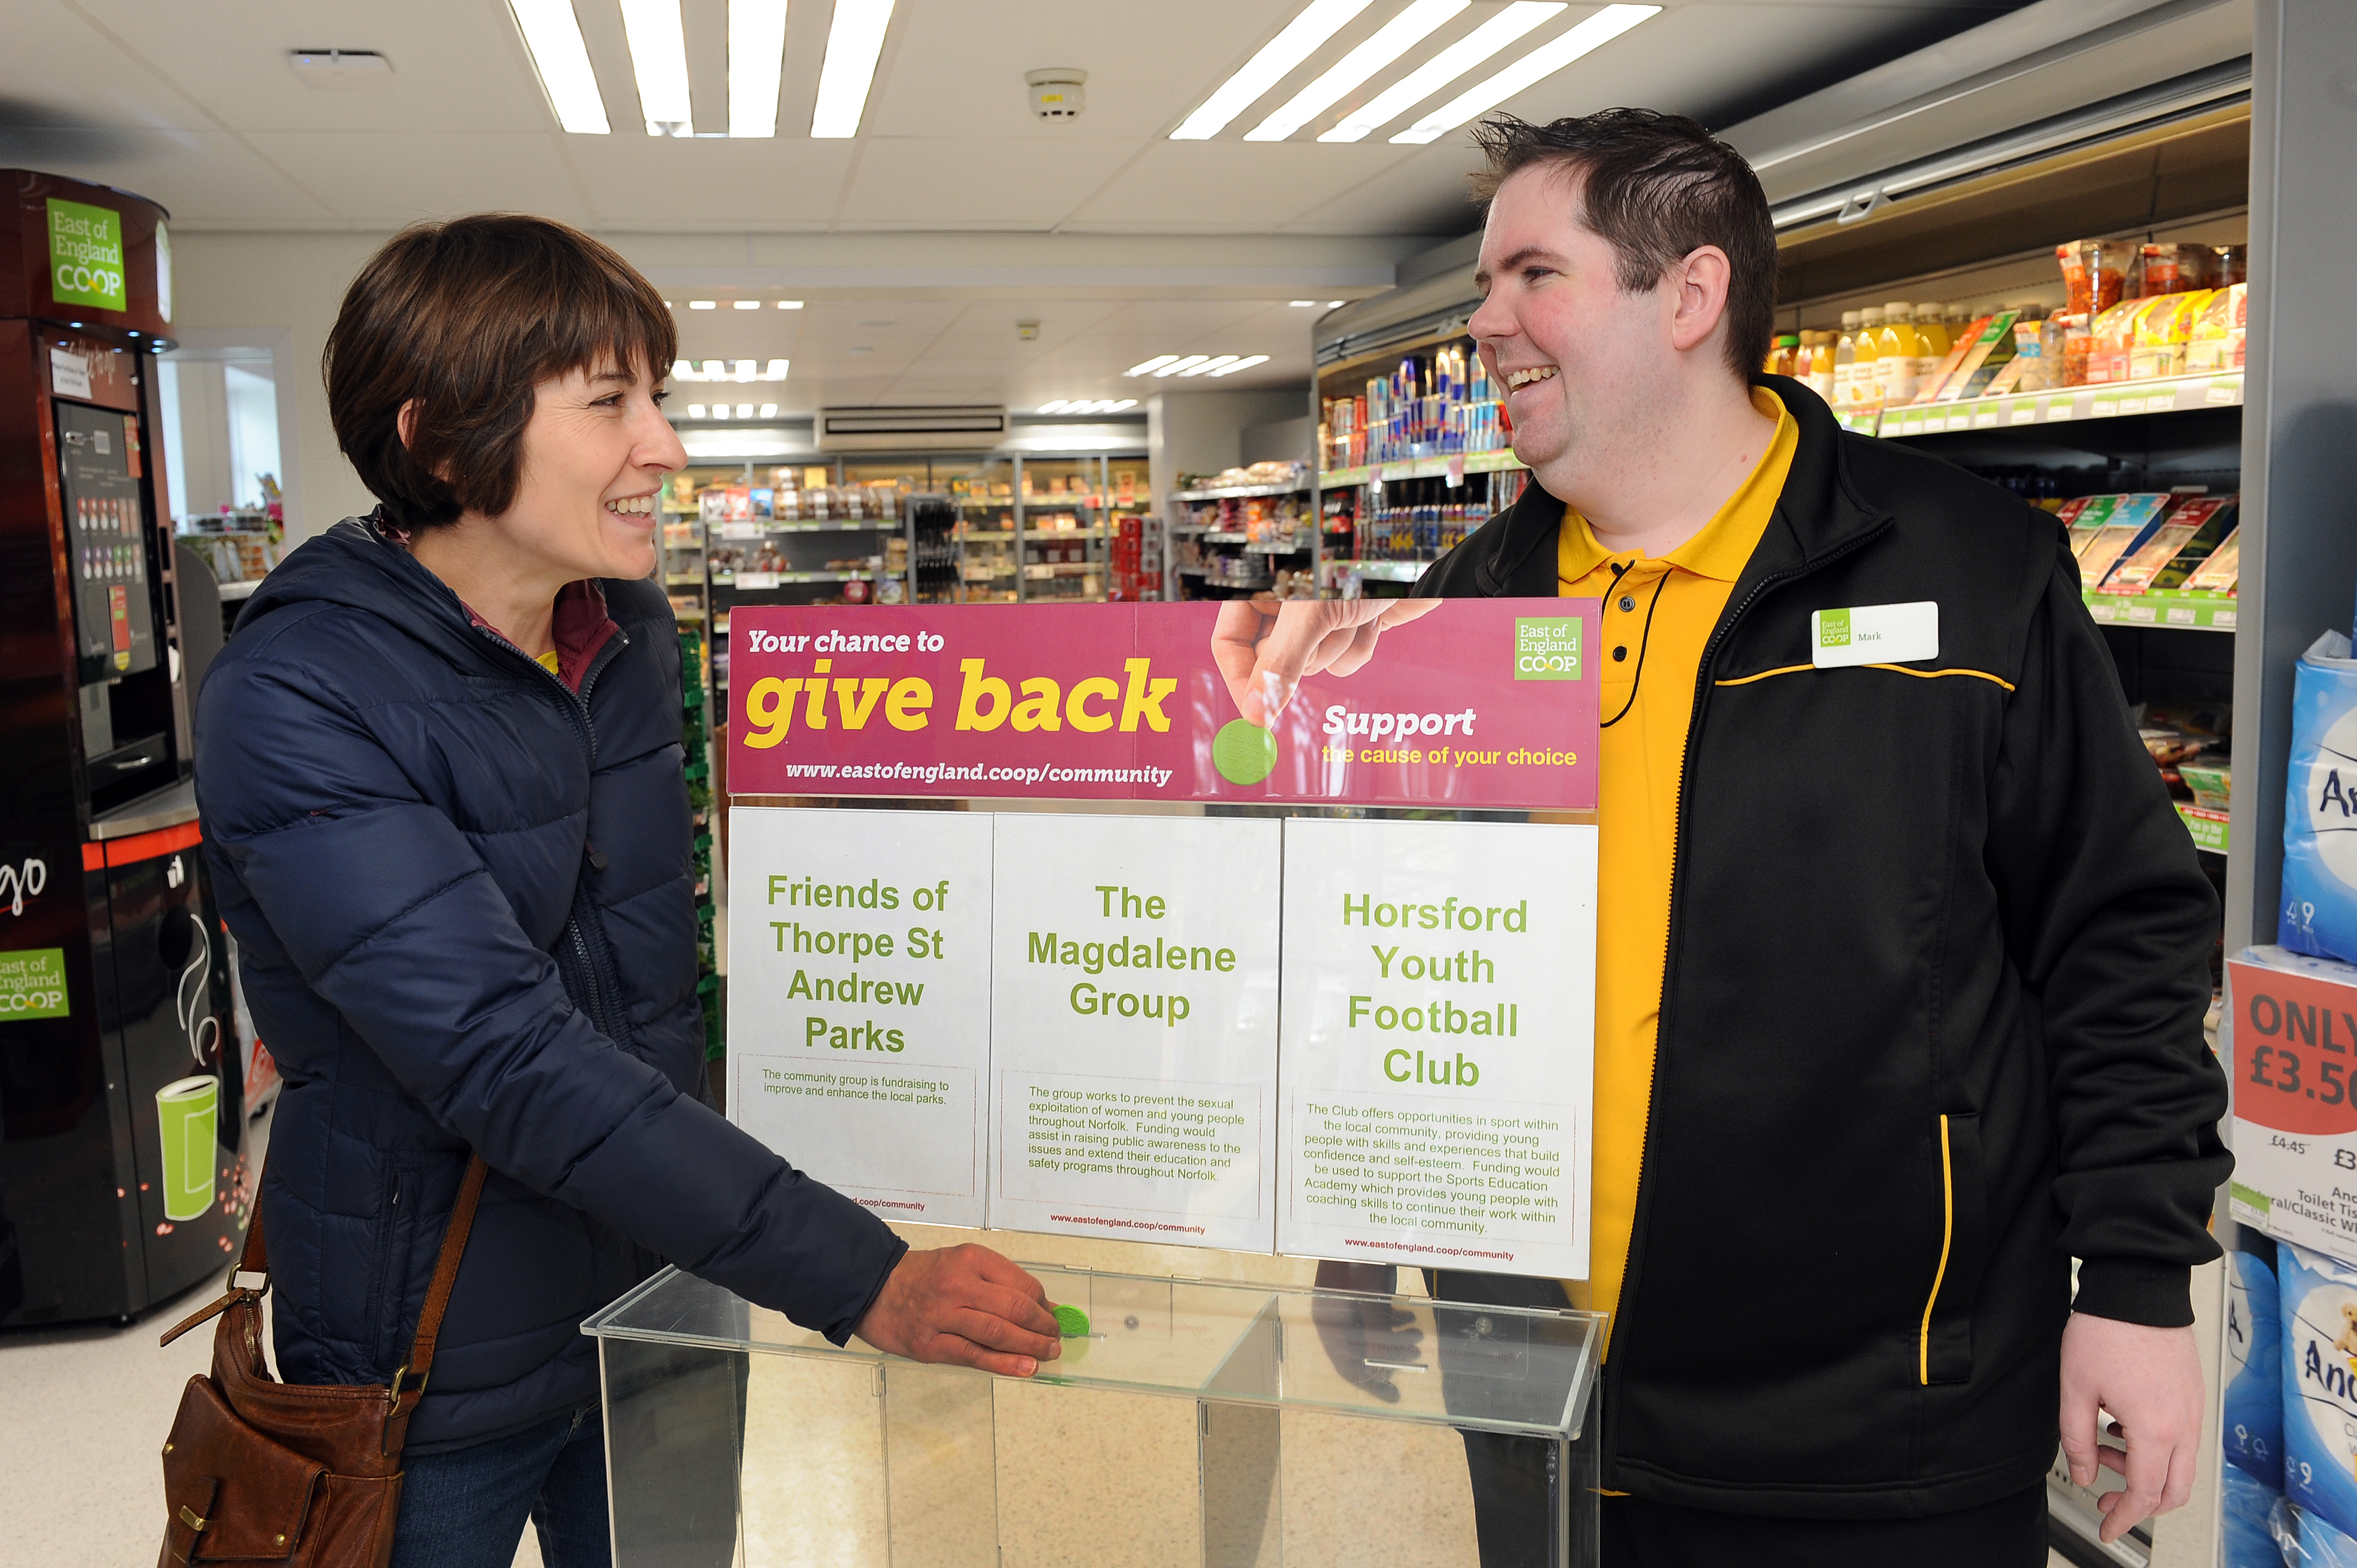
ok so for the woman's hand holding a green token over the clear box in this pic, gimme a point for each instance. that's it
(963, 1305)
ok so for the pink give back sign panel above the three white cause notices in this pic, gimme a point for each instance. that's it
(1479, 704)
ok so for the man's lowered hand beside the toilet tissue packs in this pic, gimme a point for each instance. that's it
(2151, 1381)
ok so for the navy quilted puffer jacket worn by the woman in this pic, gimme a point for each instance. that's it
(466, 921)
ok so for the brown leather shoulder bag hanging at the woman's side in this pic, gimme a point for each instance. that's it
(298, 1475)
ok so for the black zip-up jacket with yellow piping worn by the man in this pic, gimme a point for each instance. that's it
(1932, 1022)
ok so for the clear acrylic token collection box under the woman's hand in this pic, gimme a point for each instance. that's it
(1199, 1423)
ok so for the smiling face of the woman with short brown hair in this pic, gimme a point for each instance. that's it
(595, 456)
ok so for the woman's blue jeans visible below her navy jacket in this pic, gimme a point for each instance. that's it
(468, 1508)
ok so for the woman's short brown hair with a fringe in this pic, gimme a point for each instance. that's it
(466, 319)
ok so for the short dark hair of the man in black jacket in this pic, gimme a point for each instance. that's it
(1656, 187)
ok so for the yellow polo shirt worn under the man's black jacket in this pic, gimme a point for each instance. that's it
(1639, 760)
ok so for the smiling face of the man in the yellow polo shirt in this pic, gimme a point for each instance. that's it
(1583, 362)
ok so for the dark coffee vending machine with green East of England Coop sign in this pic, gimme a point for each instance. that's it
(121, 1105)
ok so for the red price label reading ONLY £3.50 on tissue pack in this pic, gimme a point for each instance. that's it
(2295, 1050)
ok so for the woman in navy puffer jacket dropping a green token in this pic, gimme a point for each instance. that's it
(442, 789)
